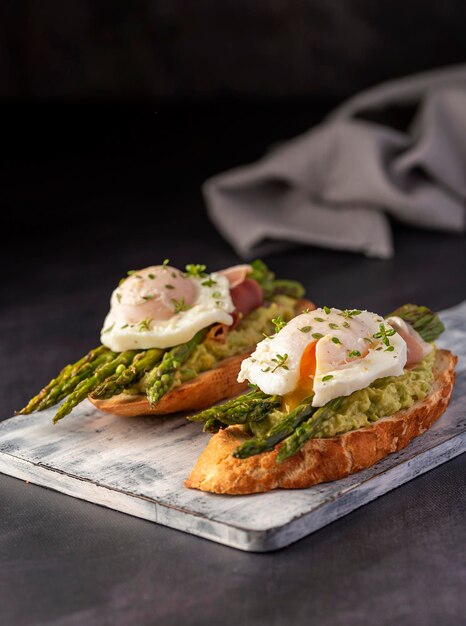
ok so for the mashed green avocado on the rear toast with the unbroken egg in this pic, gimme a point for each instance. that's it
(243, 338)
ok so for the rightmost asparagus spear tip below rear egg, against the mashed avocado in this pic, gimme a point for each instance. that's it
(160, 380)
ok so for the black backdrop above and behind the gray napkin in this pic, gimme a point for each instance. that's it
(107, 106)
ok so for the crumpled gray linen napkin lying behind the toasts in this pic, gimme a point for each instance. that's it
(333, 185)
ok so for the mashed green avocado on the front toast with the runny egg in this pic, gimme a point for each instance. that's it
(384, 397)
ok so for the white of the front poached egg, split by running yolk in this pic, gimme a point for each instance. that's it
(345, 374)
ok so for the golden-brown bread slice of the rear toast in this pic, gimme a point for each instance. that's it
(201, 392)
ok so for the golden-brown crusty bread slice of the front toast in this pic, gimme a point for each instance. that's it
(321, 460)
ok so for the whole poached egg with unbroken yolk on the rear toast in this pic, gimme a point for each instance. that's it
(161, 307)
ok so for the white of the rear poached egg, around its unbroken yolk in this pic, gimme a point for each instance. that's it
(212, 305)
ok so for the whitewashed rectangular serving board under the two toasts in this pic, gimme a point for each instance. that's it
(138, 465)
